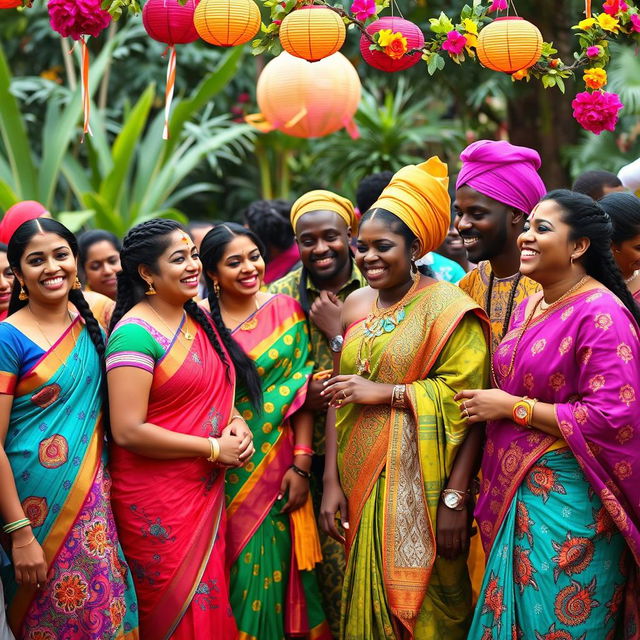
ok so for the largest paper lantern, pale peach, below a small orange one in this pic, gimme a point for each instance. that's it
(309, 100)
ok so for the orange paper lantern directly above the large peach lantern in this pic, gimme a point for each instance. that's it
(312, 32)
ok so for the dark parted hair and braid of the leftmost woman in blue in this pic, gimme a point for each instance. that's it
(17, 246)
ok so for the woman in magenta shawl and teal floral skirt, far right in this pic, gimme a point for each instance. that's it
(559, 509)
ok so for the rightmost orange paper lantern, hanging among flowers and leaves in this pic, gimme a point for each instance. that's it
(509, 44)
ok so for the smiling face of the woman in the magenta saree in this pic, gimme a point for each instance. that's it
(545, 245)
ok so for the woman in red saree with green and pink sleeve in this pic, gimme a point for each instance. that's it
(171, 382)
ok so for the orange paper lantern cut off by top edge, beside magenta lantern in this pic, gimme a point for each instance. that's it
(227, 23)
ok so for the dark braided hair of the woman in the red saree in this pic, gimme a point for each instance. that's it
(143, 245)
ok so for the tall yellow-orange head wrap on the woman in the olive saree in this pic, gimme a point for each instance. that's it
(418, 195)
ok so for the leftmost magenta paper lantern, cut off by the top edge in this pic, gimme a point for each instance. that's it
(169, 22)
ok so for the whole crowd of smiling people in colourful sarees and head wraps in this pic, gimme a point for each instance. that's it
(416, 418)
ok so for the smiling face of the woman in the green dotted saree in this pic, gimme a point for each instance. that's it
(240, 271)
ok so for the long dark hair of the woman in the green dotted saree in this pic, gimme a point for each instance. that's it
(211, 252)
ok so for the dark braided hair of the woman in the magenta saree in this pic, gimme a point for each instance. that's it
(588, 219)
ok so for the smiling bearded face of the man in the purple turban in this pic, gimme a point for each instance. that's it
(483, 224)
